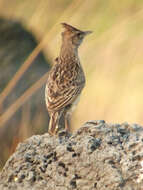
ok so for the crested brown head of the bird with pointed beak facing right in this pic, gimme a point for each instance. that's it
(73, 35)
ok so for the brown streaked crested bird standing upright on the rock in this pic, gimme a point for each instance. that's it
(66, 79)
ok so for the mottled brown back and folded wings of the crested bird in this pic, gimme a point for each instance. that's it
(63, 86)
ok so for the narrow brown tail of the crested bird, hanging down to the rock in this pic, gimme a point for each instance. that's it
(53, 124)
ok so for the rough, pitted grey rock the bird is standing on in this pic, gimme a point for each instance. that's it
(98, 156)
